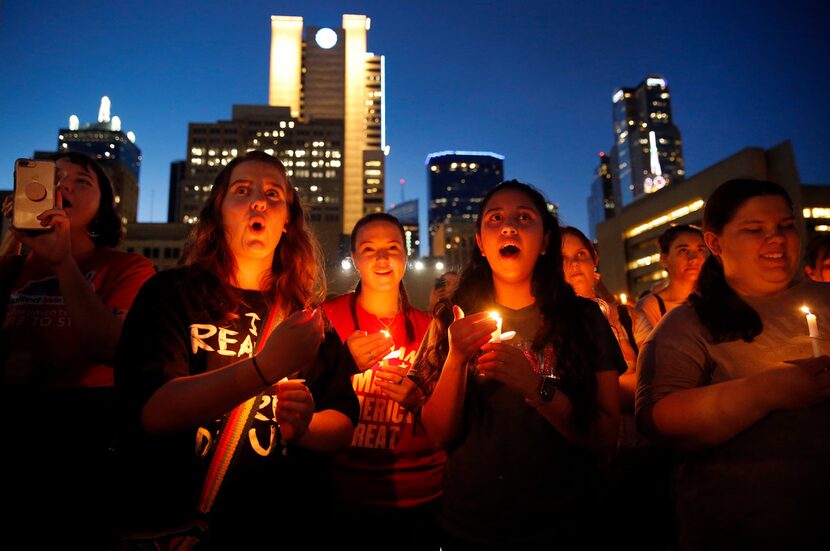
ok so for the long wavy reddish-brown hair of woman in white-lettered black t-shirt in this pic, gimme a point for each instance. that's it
(296, 278)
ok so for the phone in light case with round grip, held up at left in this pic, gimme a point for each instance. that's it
(34, 193)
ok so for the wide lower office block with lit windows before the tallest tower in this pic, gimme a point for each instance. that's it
(312, 153)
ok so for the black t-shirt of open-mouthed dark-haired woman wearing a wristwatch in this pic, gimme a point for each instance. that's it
(512, 480)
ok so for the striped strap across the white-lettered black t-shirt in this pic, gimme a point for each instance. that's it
(232, 429)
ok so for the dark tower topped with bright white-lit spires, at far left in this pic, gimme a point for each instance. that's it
(114, 150)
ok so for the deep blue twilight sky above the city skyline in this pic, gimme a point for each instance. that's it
(531, 80)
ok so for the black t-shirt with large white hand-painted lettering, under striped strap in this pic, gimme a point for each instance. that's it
(170, 333)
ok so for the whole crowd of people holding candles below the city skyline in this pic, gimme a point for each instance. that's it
(230, 402)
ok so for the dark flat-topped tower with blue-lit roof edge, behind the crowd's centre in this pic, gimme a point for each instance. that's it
(458, 181)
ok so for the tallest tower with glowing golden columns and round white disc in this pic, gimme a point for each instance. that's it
(323, 73)
